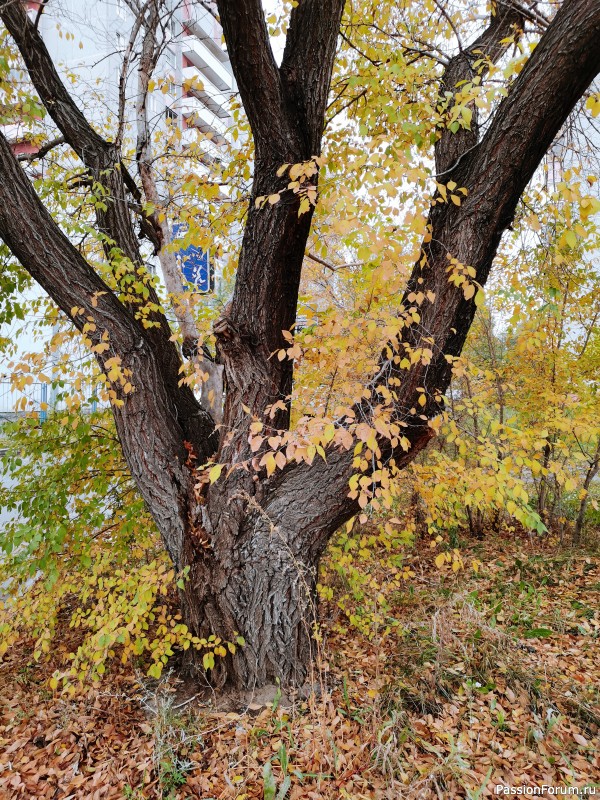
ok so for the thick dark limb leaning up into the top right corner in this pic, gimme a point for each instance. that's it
(495, 174)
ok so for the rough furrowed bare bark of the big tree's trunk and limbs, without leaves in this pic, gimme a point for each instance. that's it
(253, 543)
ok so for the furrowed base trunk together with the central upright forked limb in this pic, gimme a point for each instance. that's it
(255, 558)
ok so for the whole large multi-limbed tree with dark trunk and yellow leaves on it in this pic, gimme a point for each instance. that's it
(244, 515)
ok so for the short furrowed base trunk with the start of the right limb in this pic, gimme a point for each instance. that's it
(253, 569)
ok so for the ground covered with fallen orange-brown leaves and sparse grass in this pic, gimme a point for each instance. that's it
(479, 678)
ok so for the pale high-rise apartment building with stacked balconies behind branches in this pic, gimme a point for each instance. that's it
(90, 40)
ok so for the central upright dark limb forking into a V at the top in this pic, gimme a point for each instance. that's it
(286, 110)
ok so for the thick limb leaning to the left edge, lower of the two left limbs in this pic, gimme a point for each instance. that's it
(151, 428)
